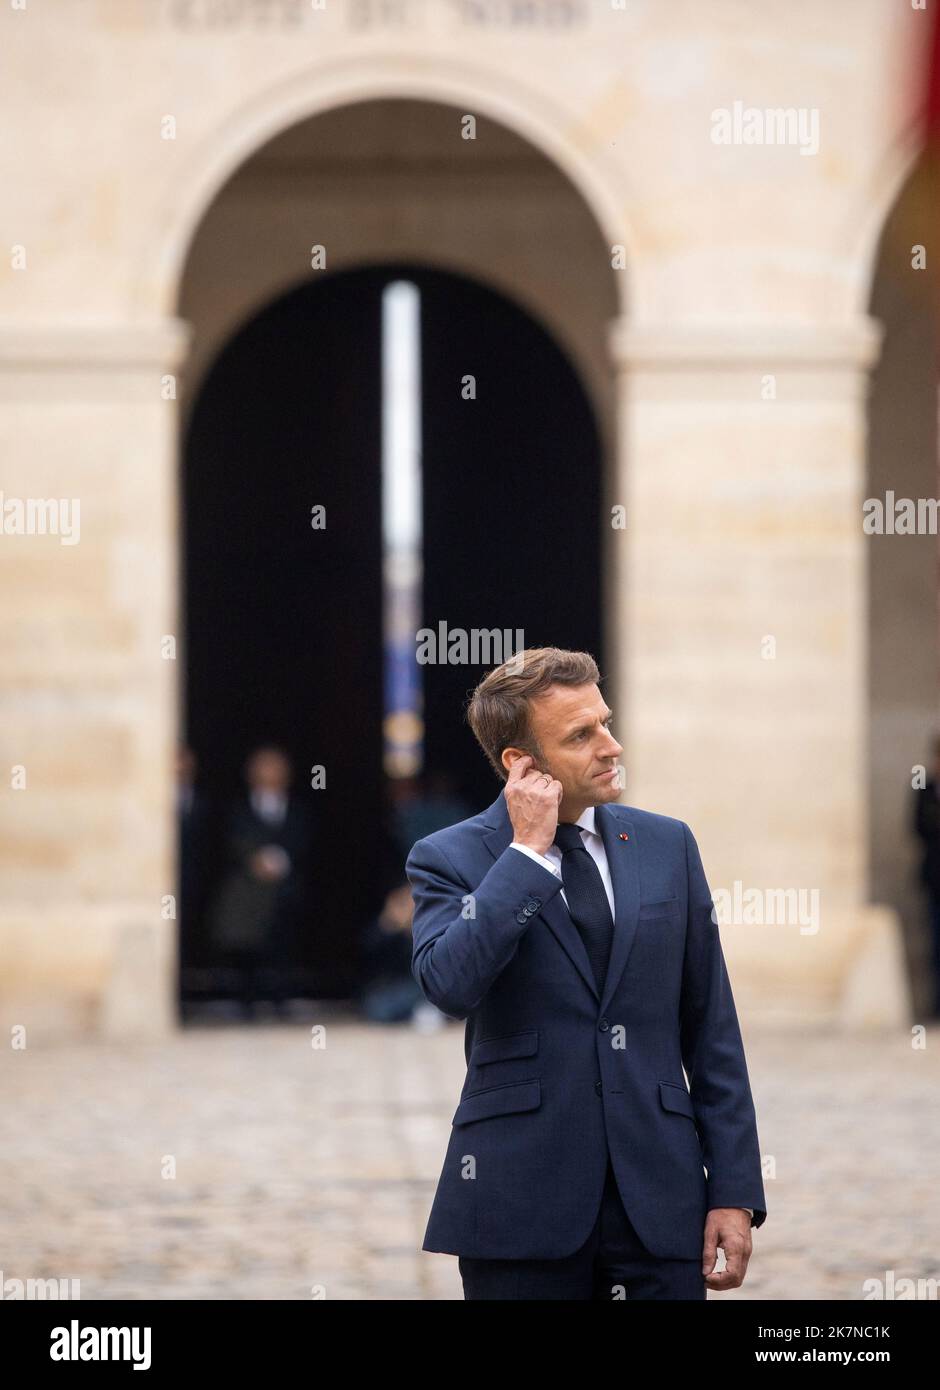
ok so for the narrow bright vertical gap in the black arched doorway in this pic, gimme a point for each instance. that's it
(404, 694)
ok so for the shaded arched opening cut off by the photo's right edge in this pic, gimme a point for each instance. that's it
(903, 573)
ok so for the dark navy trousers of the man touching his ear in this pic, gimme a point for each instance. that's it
(611, 1266)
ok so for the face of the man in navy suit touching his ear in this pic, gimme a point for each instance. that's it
(571, 726)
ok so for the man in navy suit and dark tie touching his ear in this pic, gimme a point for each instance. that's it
(578, 940)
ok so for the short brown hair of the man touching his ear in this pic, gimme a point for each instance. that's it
(499, 710)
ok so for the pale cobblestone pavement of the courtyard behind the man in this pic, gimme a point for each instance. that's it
(301, 1168)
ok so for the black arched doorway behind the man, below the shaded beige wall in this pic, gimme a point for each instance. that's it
(284, 622)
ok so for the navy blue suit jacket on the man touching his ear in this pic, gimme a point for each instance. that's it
(558, 1072)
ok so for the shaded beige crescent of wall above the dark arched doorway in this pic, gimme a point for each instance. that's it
(362, 216)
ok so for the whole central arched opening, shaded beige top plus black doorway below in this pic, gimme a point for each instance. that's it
(283, 412)
